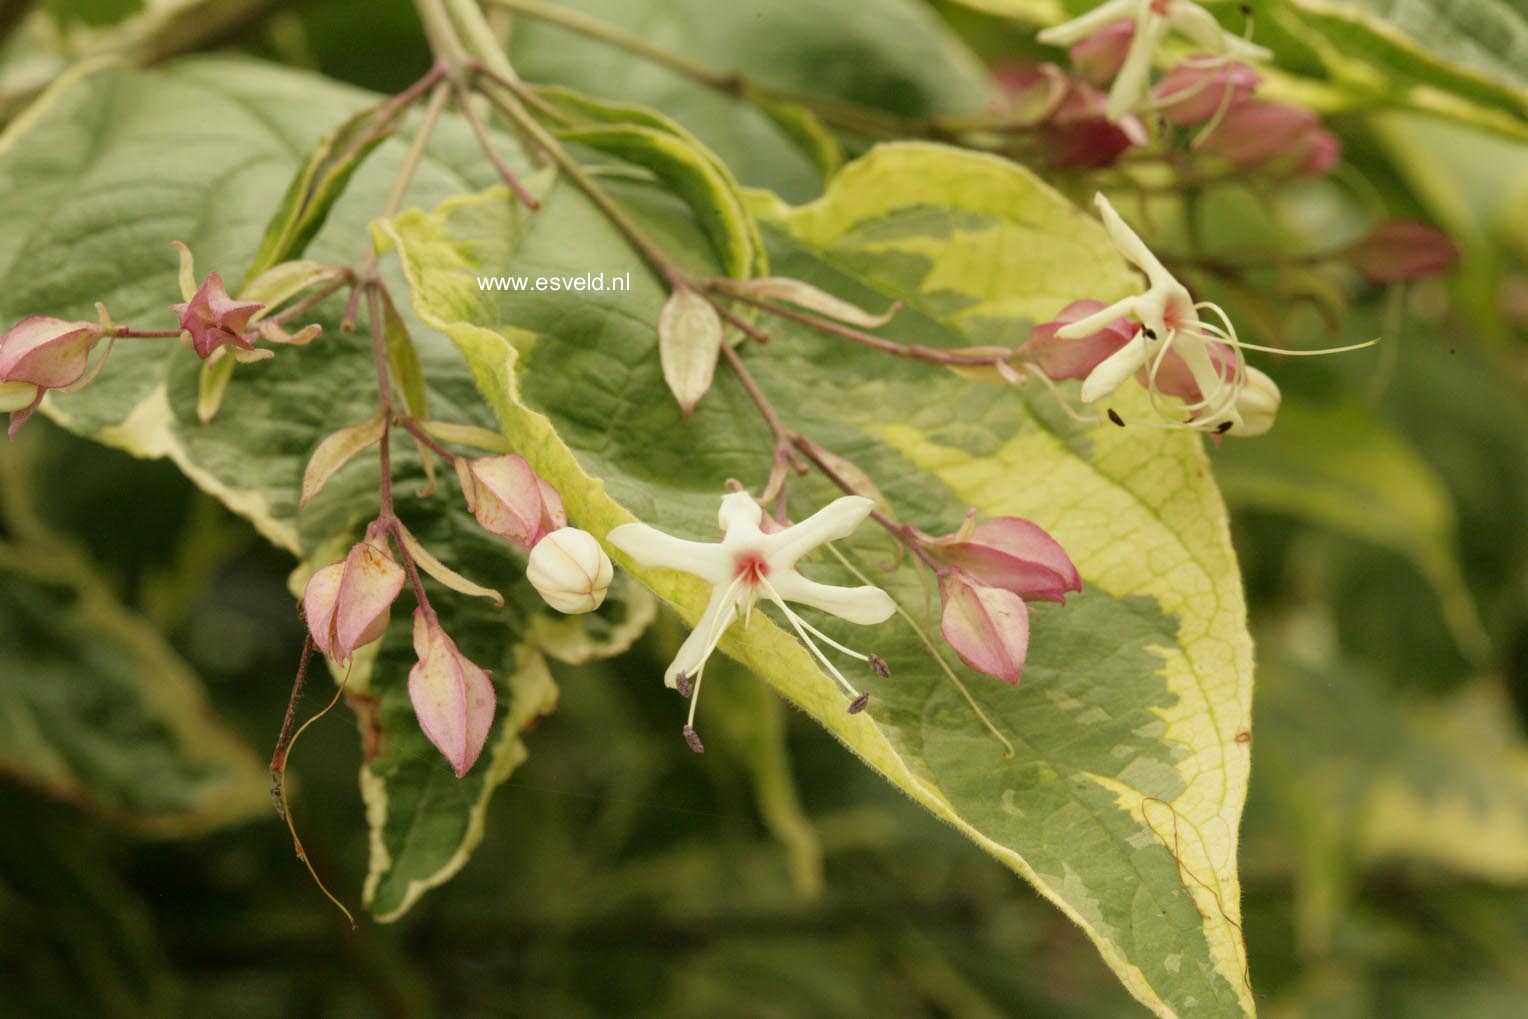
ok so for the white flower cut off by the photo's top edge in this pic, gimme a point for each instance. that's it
(1154, 21)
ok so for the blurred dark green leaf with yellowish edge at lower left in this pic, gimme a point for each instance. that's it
(95, 708)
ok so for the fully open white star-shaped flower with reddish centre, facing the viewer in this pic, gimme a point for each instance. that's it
(748, 566)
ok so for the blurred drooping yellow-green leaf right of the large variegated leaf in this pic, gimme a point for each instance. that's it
(1344, 468)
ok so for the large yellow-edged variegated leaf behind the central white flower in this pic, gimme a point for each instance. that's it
(1125, 786)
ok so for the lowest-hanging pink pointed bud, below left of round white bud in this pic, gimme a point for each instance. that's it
(453, 699)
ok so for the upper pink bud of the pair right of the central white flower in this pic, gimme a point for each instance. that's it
(1012, 554)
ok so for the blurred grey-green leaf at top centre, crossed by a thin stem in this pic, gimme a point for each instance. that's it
(889, 54)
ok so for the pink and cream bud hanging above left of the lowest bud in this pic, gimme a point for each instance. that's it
(348, 604)
